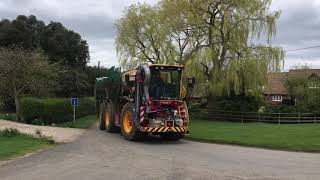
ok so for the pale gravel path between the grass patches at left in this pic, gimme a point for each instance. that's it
(59, 135)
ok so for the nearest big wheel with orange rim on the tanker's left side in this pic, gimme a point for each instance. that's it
(129, 130)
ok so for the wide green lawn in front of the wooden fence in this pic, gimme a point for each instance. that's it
(295, 137)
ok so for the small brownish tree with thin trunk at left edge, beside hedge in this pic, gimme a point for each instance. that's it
(25, 72)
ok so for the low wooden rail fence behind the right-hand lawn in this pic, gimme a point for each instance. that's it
(256, 117)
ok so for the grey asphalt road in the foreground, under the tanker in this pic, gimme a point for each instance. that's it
(101, 155)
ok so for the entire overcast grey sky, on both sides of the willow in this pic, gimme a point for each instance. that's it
(298, 26)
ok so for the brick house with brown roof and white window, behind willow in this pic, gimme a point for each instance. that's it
(275, 91)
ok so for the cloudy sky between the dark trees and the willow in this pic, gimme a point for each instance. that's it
(93, 19)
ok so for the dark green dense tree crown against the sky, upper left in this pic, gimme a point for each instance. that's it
(59, 44)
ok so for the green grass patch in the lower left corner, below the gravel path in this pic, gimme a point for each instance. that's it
(19, 145)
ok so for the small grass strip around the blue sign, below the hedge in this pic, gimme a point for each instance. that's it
(82, 123)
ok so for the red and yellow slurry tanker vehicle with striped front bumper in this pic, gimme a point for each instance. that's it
(147, 99)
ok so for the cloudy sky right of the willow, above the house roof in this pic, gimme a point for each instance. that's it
(298, 27)
